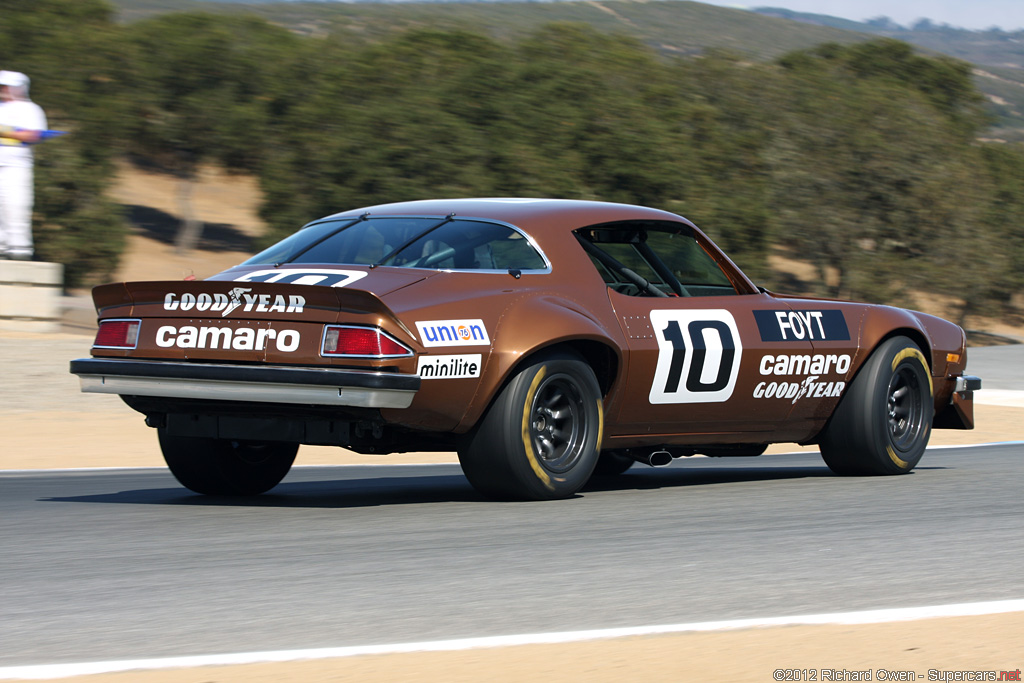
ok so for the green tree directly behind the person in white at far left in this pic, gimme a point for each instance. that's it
(72, 52)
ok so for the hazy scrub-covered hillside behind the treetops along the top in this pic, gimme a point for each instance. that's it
(674, 27)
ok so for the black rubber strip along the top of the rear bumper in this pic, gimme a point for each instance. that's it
(260, 374)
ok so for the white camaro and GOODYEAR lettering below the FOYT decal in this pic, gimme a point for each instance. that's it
(813, 366)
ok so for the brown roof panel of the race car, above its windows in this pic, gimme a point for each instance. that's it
(526, 214)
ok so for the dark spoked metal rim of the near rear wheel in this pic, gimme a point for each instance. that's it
(557, 423)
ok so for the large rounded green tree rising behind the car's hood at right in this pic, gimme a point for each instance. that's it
(870, 177)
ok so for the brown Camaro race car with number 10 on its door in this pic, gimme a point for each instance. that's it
(544, 340)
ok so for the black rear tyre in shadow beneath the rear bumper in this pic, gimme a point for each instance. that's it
(224, 467)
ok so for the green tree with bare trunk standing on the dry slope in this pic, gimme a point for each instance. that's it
(205, 87)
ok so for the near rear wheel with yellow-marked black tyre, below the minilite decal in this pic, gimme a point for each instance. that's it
(540, 440)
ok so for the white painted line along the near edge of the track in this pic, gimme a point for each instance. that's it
(40, 672)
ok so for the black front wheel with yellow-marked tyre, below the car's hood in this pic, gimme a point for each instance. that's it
(883, 423)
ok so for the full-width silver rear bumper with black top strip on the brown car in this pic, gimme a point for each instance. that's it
(271, 385)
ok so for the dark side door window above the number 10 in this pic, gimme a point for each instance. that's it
(654, 260)
